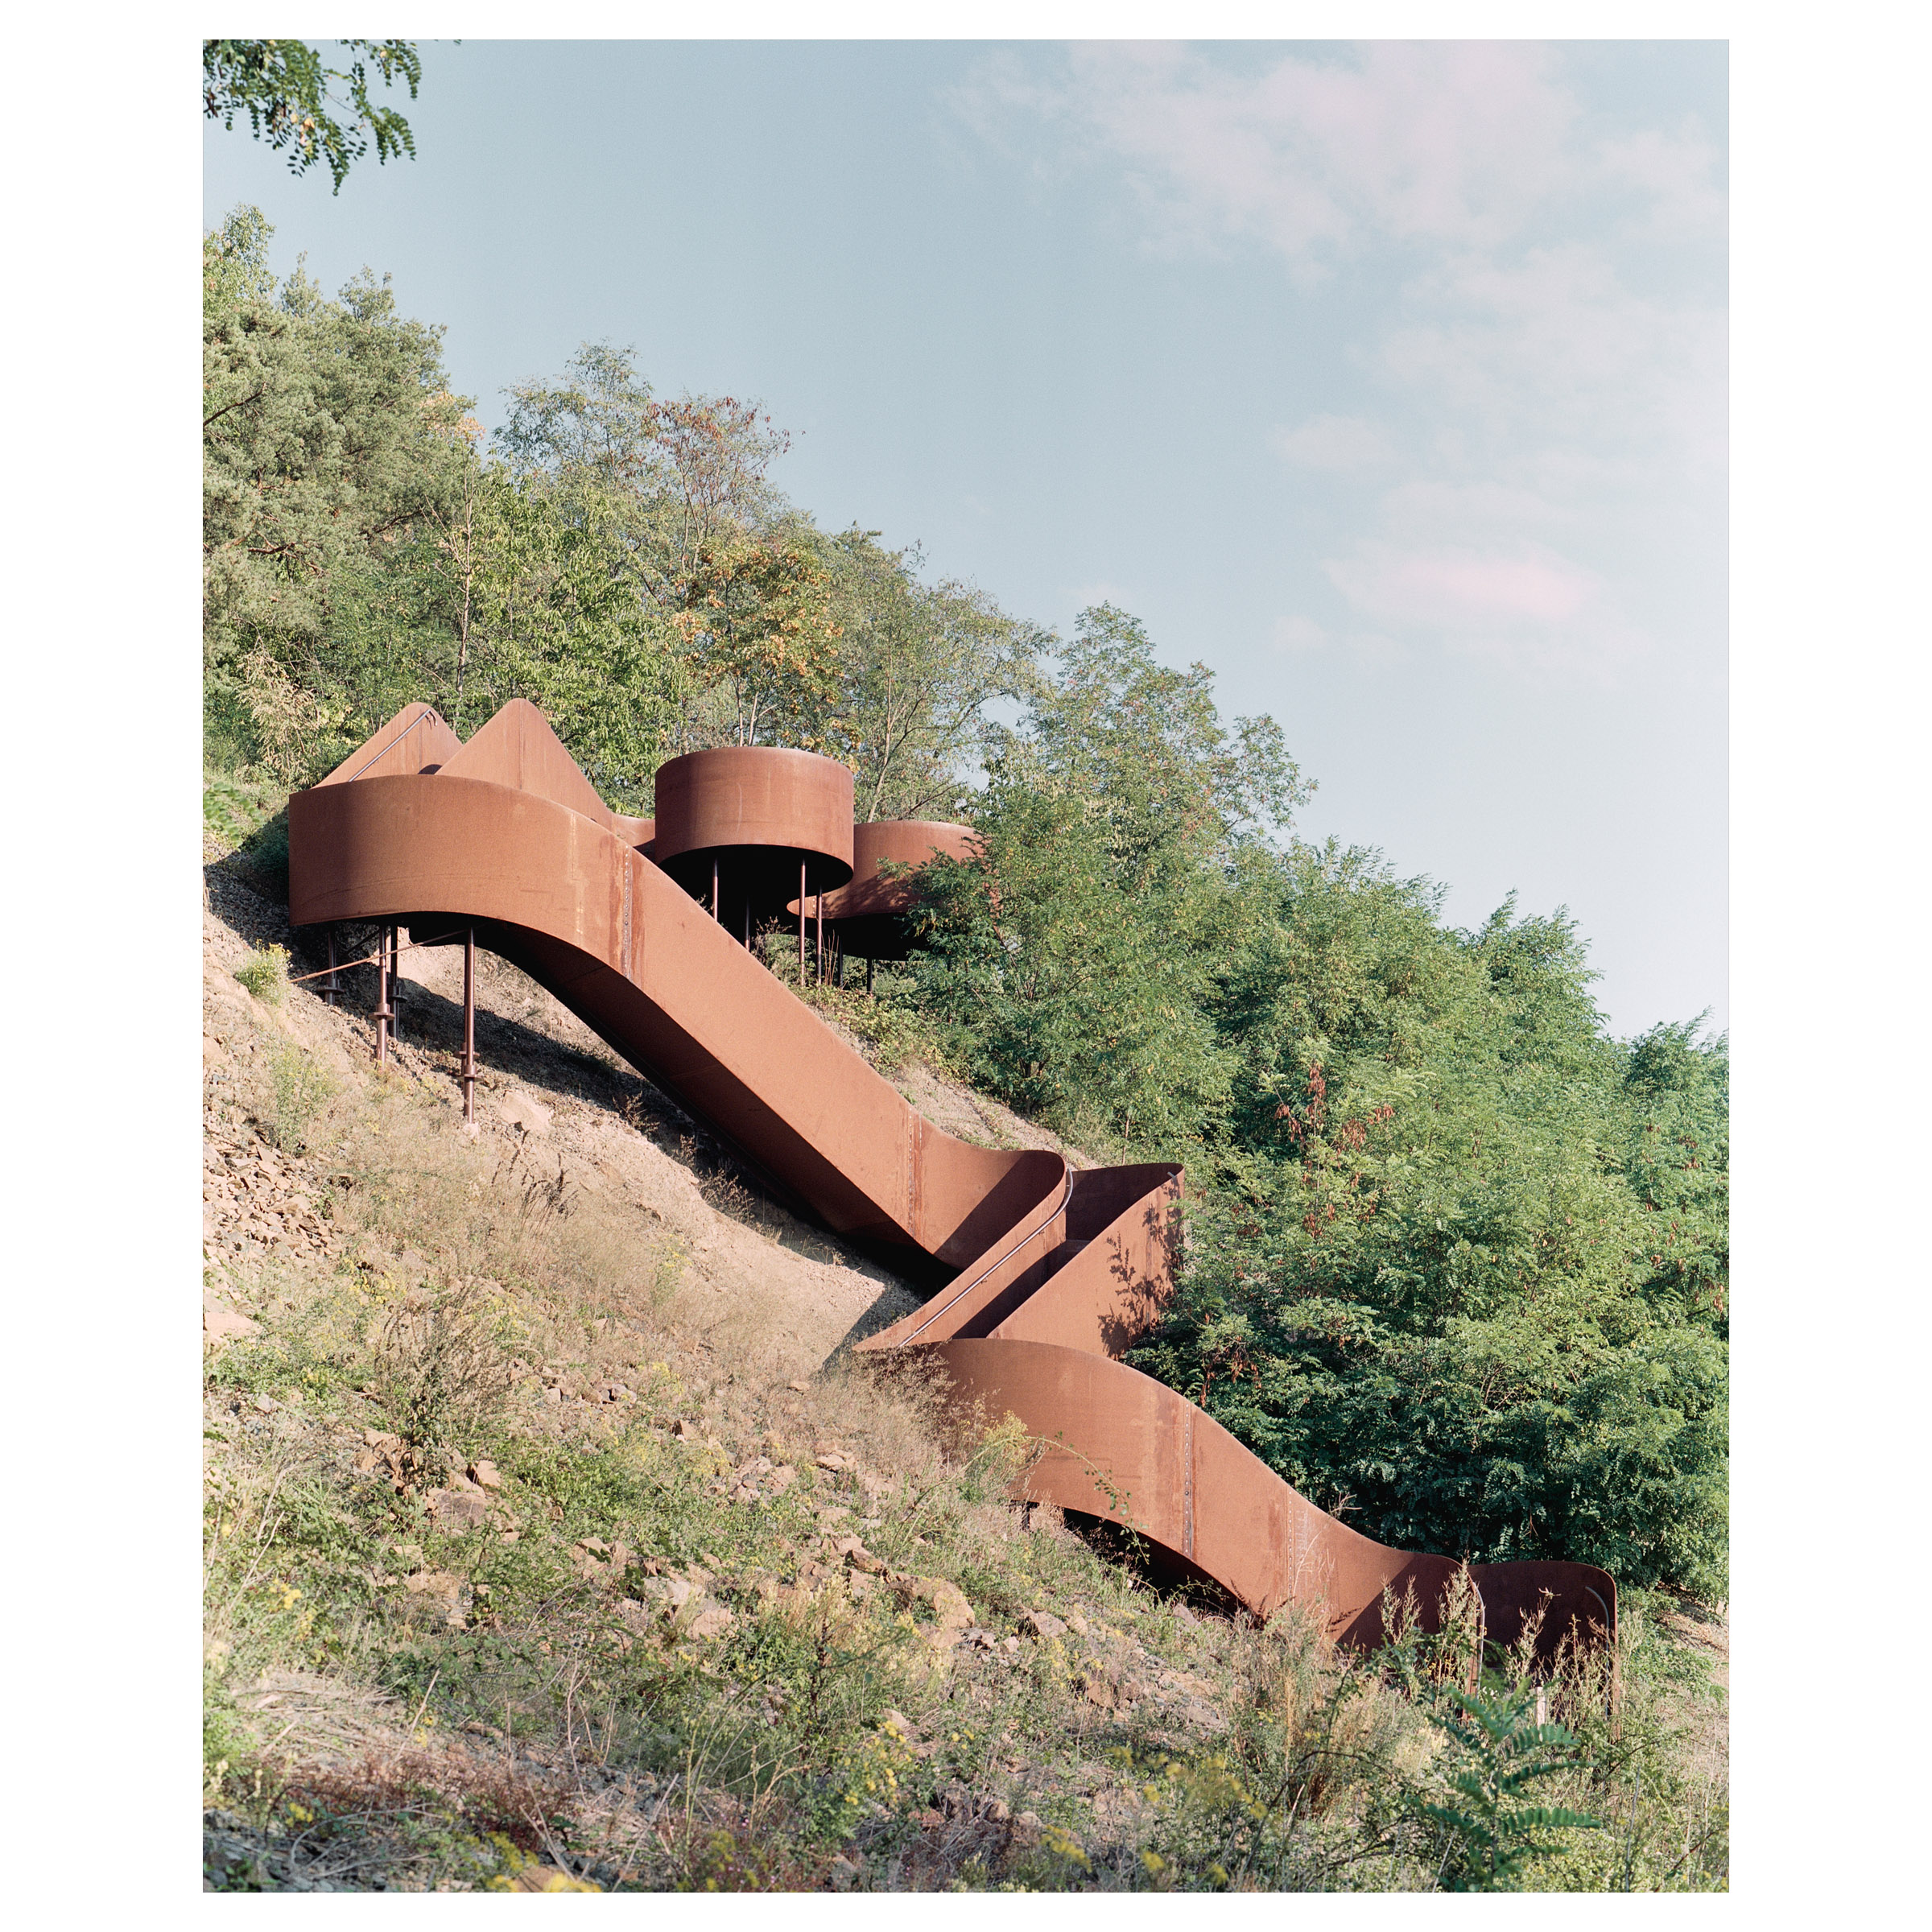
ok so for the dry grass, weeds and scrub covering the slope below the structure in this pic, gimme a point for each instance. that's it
(691, 1634)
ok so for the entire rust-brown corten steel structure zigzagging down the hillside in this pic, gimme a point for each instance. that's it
(1050, 1272)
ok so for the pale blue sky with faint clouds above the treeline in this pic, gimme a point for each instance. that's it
(1388, 382)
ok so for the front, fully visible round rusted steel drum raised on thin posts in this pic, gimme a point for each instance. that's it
(758, 814)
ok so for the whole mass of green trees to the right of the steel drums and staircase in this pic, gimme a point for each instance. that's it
(1458, 1261)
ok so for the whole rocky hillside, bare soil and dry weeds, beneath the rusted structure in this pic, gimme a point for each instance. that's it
(554, 1543)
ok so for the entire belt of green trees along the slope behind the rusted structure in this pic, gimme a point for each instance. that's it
(1458, 1259)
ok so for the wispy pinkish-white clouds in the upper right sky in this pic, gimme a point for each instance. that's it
(1541, 393)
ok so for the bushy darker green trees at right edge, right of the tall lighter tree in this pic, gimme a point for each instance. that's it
(1465, 1268)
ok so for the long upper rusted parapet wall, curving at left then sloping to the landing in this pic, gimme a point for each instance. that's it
(646, 969)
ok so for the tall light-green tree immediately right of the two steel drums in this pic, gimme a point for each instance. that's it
(1081, 986)
